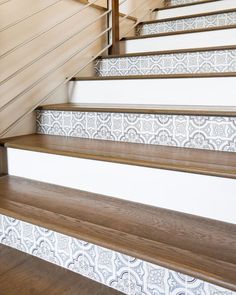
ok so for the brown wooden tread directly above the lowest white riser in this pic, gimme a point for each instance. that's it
(215, 163)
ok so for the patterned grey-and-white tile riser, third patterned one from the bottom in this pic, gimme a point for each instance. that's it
(219, 61)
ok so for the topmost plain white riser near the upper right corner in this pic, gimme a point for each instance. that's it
(195, 9)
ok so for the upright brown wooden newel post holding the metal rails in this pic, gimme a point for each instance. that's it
(114, 22)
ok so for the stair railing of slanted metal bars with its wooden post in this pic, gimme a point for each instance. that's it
(112, 32)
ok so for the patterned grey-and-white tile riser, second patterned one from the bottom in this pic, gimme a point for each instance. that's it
(201, 132)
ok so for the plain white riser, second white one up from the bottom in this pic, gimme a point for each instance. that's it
(190, 91)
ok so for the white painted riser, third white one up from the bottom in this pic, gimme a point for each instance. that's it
(182, 41)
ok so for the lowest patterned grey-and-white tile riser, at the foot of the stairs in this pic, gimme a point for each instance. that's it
(129, 275)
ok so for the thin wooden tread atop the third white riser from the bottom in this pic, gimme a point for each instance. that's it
(182, 32)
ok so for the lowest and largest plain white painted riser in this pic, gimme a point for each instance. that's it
(207, 196)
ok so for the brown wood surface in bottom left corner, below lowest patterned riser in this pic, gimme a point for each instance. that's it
(23, 274)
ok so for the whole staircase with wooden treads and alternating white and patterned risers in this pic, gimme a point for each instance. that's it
(132, 182)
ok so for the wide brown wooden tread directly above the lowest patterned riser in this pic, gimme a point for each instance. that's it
(200, 247)
